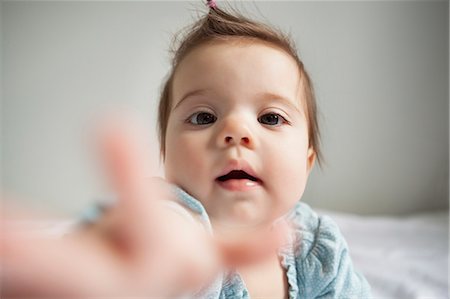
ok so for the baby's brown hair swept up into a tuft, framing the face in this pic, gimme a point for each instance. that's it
(229, 24)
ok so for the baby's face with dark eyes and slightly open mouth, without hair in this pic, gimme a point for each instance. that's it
(237, 136)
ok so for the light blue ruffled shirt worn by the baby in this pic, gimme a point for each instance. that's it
(316, 261)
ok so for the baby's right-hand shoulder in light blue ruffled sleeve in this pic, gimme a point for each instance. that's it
(322, 262)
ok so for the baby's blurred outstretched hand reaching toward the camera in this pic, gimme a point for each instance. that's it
(142, 247)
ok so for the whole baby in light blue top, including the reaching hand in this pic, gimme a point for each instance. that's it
(239, 137)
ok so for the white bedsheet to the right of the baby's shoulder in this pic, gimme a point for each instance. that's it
(401, 257)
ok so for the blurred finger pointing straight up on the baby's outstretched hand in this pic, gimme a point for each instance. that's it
(127, 158)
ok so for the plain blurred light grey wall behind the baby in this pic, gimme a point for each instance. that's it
(380, 71)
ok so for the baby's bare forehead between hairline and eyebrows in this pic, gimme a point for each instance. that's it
(247, 65)
